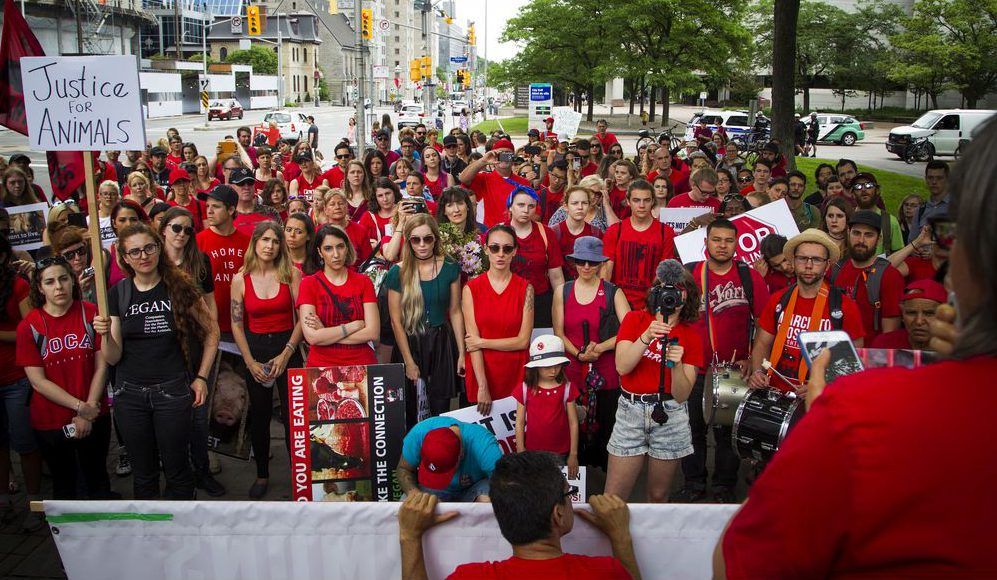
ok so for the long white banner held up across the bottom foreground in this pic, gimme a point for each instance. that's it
(202, 540)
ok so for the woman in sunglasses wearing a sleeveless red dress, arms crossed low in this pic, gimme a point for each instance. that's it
(498, 319)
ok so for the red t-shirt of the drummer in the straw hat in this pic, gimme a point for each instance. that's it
(789, 363)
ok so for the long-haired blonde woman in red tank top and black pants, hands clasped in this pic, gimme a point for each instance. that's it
(267, 334)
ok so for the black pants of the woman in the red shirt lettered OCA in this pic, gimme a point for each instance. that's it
(72, 459)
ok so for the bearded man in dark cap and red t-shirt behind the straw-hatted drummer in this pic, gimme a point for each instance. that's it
(863, 270)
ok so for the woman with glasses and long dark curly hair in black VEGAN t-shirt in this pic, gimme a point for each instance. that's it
(157, 314)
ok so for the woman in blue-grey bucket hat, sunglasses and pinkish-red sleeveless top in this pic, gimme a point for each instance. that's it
(588, 329)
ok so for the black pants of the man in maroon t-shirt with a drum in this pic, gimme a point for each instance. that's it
(694, 466)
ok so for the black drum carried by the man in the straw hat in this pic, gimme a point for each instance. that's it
(762, 421)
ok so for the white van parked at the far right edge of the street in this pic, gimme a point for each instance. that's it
(944, 128)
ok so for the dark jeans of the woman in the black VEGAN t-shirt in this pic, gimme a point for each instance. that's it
(157, 418)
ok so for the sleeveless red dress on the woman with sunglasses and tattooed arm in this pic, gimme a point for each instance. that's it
(498, 316)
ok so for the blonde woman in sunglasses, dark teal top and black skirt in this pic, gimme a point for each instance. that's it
(424, 305)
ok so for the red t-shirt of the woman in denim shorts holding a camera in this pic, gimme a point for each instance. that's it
(643, 379)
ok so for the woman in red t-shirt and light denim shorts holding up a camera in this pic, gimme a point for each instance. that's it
(652, 423)
